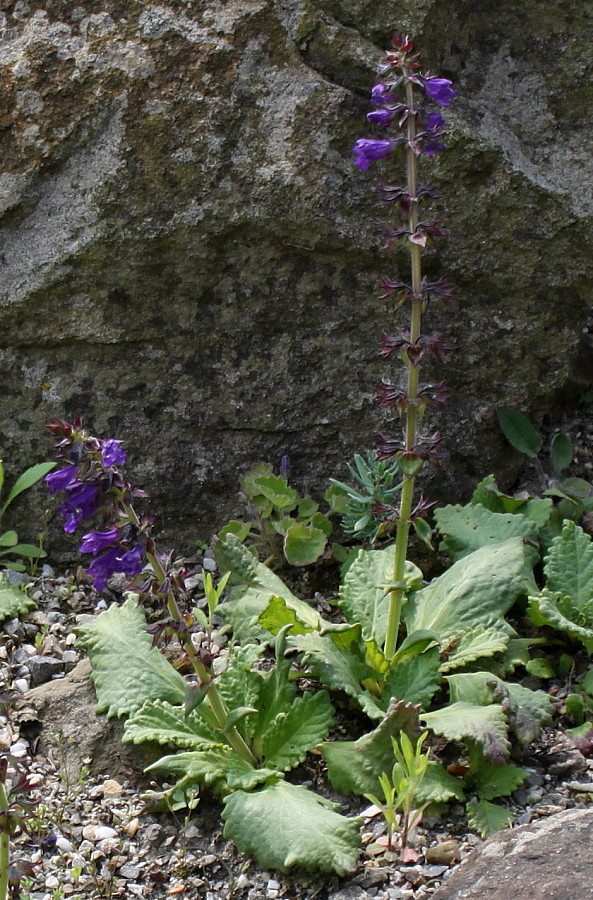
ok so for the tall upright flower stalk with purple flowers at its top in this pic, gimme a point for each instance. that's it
(395, 95)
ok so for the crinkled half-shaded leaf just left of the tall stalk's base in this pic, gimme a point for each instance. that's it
(337, 659)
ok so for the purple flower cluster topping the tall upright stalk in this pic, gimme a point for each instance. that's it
(383, 95)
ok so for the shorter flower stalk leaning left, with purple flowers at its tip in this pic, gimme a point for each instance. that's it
(94, 487)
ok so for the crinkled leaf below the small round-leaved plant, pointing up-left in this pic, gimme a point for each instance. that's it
(255, 585)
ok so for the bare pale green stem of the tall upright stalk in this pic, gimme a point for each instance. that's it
(411, 414)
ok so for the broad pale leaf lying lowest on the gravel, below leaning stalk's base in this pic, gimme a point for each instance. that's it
(285, 825)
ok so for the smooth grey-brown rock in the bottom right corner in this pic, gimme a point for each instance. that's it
(549, 860)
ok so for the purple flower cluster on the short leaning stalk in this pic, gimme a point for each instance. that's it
(94, 486)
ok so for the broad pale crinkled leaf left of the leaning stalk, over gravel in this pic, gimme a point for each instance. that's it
(126, 669)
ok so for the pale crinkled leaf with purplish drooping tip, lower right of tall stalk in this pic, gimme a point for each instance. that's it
(486, 725)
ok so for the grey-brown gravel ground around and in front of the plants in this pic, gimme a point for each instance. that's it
(91, 837)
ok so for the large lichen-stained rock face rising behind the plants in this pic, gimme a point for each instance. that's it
(190, 258)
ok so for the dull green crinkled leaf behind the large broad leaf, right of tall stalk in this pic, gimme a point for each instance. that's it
(469, 528)
